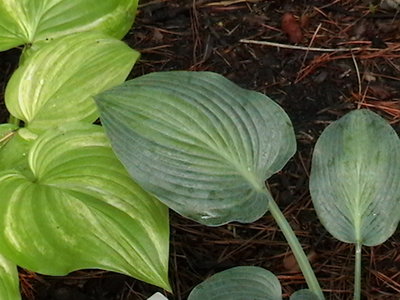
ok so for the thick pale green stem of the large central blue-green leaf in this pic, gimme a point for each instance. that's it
(297, 250)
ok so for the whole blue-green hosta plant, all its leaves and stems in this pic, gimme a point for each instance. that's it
(205, 147)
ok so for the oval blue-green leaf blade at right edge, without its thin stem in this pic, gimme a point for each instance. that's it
(355, 178)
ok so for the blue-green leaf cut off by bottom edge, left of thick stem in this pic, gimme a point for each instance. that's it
(239, 283)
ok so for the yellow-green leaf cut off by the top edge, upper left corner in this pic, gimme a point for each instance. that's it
(28, 21)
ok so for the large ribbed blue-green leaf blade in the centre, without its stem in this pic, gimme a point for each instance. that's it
(200, 143)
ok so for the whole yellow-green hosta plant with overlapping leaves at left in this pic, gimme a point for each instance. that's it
(66, 202)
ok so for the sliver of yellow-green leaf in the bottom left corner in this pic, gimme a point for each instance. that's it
(9, 281)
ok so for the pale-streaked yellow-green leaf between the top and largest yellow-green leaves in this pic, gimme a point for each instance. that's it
(55, 85)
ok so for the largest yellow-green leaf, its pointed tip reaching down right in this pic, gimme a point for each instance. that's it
(80, 209)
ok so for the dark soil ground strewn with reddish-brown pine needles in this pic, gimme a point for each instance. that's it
(314, 87)
